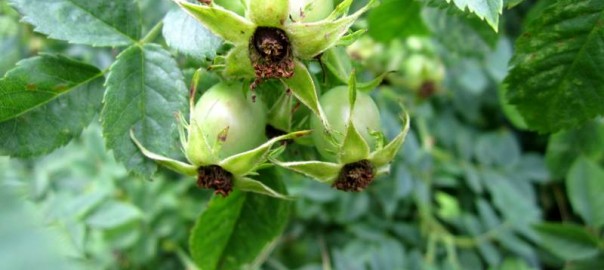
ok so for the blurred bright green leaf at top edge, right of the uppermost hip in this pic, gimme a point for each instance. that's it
(394, 19)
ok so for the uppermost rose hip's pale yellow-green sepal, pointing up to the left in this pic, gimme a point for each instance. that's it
(222, 22)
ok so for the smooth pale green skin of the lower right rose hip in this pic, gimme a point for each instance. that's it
(365, 117)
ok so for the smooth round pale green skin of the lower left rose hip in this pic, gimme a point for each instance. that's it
(227, 105)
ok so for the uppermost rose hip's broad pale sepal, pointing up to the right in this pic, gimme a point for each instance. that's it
(309, 40)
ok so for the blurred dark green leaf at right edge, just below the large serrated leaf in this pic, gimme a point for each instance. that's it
(565, 146)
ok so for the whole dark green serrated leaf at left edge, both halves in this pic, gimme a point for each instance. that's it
(53, 124)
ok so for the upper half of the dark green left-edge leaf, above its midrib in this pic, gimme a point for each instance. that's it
(38, 80)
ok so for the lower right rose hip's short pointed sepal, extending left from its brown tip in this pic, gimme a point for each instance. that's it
(325, 172)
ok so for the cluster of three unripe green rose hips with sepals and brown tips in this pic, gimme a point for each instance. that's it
(225, 139)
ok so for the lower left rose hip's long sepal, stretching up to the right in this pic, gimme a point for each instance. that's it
(246, 162)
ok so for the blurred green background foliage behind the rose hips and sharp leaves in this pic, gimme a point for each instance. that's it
(472, 189)
